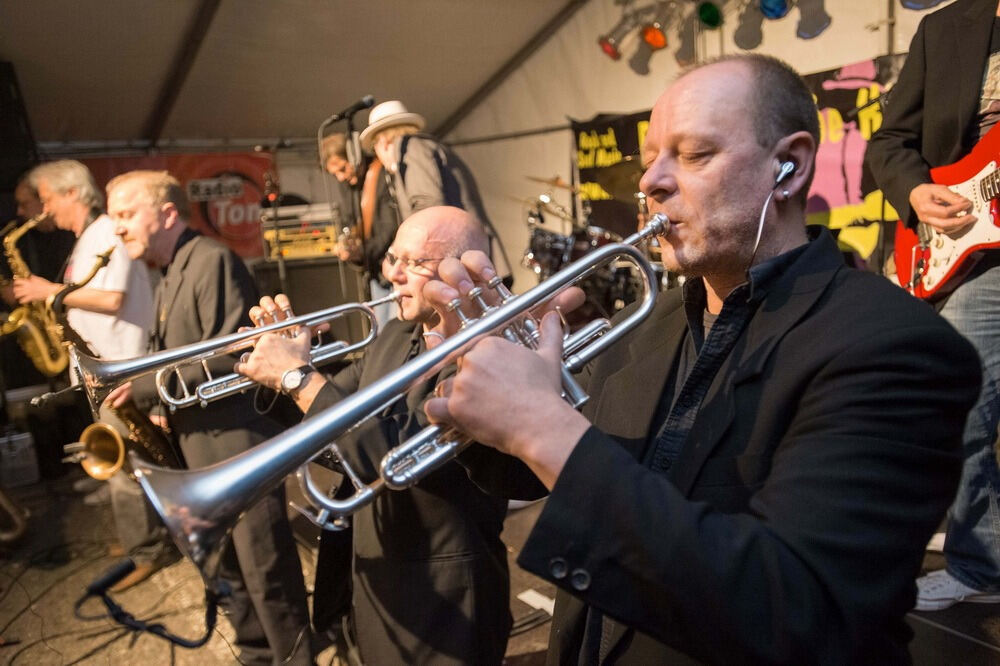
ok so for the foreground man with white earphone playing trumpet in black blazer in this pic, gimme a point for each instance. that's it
(763, 459)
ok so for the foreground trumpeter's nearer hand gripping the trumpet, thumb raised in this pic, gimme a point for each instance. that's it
(526, 416)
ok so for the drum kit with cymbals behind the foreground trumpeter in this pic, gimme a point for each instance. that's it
(611, 288)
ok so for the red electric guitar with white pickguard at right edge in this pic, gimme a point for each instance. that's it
(929, 263)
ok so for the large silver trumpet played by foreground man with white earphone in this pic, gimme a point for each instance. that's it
(200, 507)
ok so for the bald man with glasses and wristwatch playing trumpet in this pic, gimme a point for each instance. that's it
(430, 571)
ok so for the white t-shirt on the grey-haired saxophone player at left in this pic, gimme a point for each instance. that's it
(126, 334)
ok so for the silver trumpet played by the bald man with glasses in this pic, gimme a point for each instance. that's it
(99, 377)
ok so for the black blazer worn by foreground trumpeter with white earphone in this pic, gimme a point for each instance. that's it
(792, 526)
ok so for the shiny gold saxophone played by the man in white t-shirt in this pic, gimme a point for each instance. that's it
(36, 329)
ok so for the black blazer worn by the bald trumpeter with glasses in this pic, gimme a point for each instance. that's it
(431, 583)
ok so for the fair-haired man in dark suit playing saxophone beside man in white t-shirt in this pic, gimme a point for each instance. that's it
(205, 292)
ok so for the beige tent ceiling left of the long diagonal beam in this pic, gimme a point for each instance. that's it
(128, 71)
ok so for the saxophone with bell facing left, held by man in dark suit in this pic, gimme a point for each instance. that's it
(102, 449)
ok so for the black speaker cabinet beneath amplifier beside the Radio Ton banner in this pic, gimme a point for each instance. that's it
(315, 284)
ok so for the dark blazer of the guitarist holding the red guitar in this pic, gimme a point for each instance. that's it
(930, 117)
